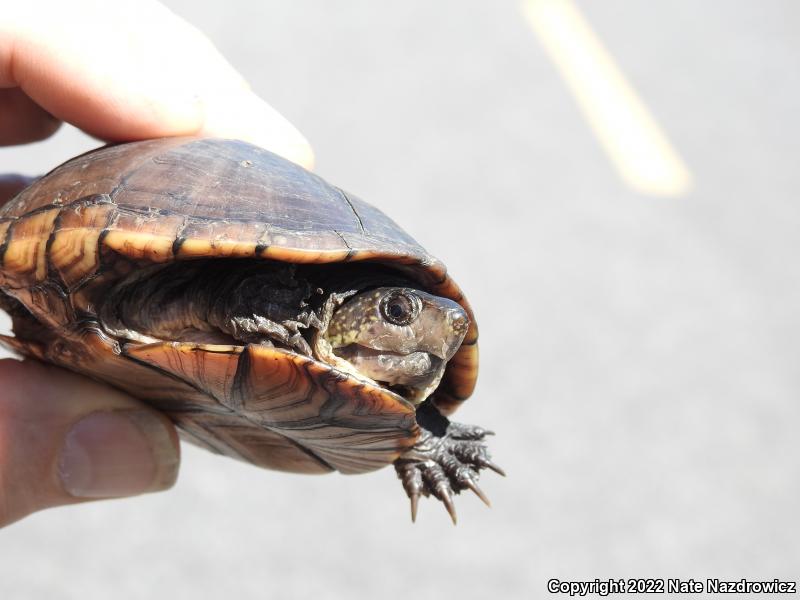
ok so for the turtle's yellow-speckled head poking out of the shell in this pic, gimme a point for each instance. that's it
(399, 336)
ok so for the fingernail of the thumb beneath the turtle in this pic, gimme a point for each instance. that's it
(118, 453)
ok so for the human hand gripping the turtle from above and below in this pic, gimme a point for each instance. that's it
(119, 71)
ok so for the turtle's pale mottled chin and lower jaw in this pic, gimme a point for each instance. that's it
(410, 375)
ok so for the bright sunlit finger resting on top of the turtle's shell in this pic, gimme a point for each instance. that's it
(130, 70)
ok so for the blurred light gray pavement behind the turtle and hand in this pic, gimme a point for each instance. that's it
(639, 353)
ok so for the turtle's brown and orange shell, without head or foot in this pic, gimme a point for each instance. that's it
(101, 214)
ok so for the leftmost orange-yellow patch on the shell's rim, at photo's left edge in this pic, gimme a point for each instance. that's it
(26, 250)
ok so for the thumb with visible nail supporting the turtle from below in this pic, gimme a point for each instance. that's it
(66, 439)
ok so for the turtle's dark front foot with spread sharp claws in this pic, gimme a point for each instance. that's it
(447, 460)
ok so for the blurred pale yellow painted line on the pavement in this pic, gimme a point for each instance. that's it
(630, 135)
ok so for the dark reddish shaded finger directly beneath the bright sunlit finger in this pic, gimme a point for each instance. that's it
(22, 120)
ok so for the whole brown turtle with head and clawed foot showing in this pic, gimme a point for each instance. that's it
(274, 317)
